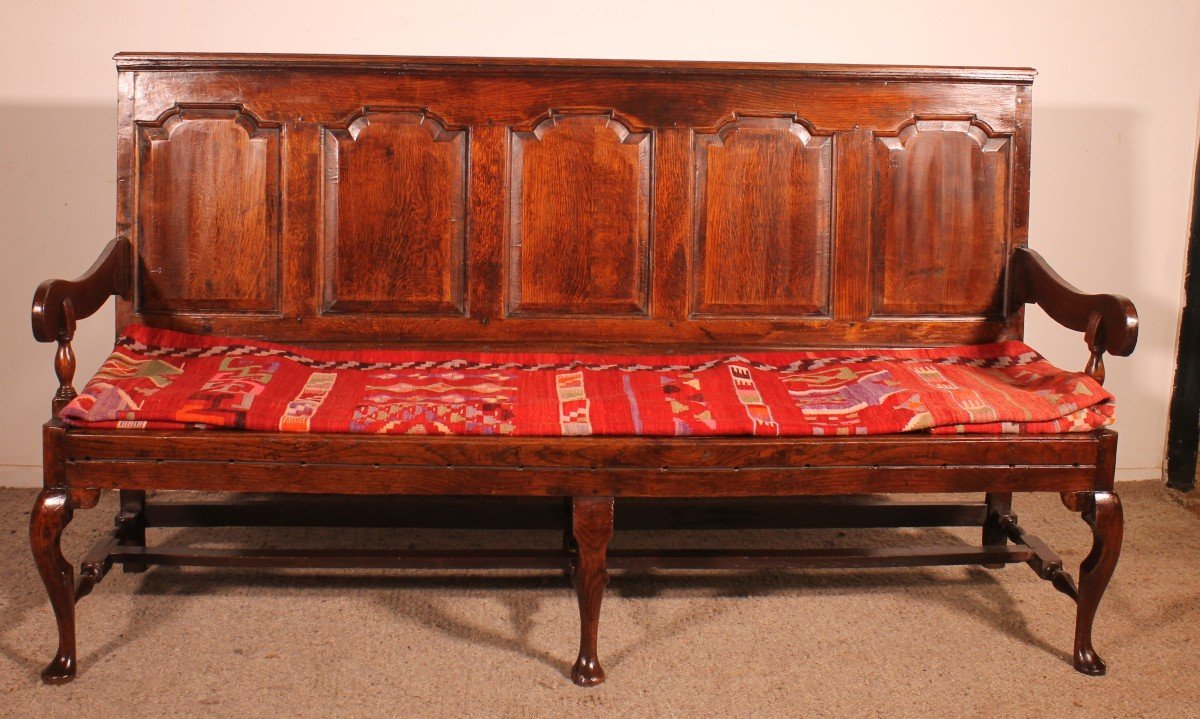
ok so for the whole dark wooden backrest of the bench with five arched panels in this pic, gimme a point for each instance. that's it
(341, 200)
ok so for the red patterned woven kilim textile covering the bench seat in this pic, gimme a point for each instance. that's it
(165, 380)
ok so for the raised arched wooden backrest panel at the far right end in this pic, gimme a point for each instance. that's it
(941, 219)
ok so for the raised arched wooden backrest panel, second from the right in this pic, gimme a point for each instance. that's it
(764, 219)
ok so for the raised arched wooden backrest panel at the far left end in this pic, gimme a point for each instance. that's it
(208, 212)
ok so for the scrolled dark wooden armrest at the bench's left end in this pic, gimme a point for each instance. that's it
(59, 303)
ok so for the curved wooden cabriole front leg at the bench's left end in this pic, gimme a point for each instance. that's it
(52, 512)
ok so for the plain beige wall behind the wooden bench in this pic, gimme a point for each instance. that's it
(1115, 125)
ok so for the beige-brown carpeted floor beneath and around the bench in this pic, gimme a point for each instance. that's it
(925, 643)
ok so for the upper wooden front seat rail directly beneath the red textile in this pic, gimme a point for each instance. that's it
(677, 453)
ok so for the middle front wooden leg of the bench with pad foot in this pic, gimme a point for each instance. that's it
(592, 528)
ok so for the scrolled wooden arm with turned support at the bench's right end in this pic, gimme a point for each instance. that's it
(1109, 322)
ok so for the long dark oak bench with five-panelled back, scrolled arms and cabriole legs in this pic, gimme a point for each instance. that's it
(416, 205)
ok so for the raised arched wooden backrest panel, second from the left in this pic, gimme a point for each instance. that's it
(395, 214)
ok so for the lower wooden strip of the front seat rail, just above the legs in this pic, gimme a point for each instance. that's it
(565, 482)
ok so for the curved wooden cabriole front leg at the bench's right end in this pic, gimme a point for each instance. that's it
(1102, 512)
